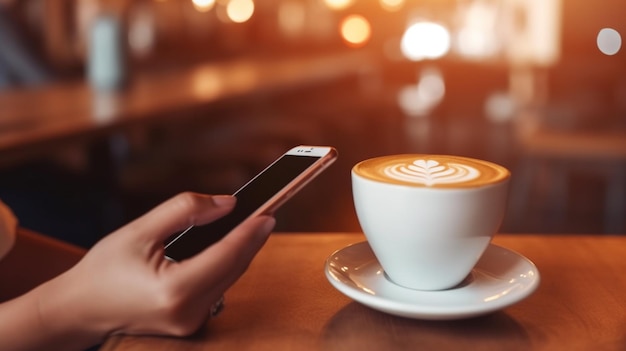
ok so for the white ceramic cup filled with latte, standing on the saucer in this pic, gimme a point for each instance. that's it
(429, 218)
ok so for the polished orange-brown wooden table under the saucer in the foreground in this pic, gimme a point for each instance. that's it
(284, 302)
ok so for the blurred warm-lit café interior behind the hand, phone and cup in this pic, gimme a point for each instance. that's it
(109, 107)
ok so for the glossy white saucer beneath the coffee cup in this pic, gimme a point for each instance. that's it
(501, 278)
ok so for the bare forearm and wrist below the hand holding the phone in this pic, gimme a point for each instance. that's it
(45, 318)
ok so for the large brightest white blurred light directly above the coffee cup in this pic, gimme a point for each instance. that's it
(425, 40)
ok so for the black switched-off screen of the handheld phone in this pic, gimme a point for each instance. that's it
(249, 198)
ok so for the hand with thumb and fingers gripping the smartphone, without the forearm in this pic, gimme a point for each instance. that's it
(125, 285)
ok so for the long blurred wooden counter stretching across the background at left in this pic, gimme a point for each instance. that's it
(33, 120)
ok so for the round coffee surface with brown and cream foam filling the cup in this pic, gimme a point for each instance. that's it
(437, 171)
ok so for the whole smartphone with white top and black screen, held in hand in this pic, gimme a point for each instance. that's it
(263, 194)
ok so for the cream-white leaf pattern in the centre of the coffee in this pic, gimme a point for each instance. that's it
(431, 172)
